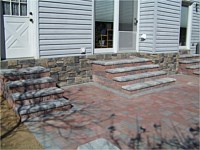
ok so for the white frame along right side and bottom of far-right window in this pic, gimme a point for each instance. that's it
(189, 29)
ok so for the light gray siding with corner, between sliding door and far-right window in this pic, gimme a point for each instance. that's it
(160, 21)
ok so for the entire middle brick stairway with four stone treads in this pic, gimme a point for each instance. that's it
(131, 75)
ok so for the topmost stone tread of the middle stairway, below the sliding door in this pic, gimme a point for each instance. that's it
(120, 61)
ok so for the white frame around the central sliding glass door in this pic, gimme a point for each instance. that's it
(115, 48)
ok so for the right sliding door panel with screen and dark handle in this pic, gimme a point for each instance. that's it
(127, 25)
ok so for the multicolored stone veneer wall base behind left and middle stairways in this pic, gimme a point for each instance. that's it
(78, 69)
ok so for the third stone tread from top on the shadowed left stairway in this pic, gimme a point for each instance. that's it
(37, 93)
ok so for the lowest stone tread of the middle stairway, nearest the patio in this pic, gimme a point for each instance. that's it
(147, 84)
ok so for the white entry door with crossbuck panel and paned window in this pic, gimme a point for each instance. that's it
(17, 28)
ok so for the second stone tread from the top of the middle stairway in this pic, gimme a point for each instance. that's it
(127, 69)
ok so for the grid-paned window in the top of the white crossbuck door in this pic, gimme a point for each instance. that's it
(15, 7)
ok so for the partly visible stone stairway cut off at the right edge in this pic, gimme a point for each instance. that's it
(189, 64)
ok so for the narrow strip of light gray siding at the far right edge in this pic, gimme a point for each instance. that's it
(195, 37)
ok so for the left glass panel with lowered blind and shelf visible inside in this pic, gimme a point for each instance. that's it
(104, 18)
